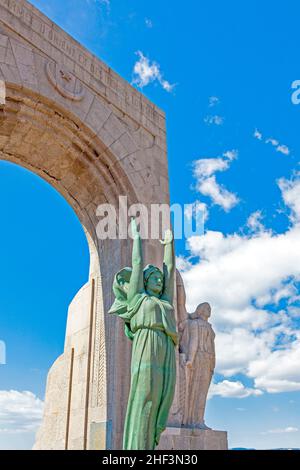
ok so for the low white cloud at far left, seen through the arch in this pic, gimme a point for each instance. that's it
(20, 412)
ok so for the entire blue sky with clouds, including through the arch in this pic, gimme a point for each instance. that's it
(222, 72)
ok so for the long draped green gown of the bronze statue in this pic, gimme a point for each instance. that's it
(150, 324)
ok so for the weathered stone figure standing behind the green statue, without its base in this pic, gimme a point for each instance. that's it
(197, 358)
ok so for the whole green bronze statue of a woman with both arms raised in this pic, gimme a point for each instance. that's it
(144, 300)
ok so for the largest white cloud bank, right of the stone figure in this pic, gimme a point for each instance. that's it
(251, 281)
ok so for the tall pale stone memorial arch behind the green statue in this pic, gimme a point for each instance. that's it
(69, 118)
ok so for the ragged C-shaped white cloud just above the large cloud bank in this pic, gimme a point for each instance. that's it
(207, 184)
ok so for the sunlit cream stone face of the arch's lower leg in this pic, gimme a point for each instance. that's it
(66, 407)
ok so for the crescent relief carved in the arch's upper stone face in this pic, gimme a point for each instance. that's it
(65, 82)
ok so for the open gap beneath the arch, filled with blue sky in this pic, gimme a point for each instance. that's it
(46, 258)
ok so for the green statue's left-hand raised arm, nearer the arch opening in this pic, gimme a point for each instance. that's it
(136, 284)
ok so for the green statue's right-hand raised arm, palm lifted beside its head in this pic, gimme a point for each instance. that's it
(168, 266)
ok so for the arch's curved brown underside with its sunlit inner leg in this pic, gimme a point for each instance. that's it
(81, 407)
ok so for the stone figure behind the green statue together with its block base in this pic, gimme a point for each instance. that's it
(195, 366)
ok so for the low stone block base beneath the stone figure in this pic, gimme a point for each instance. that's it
(192, 439)
